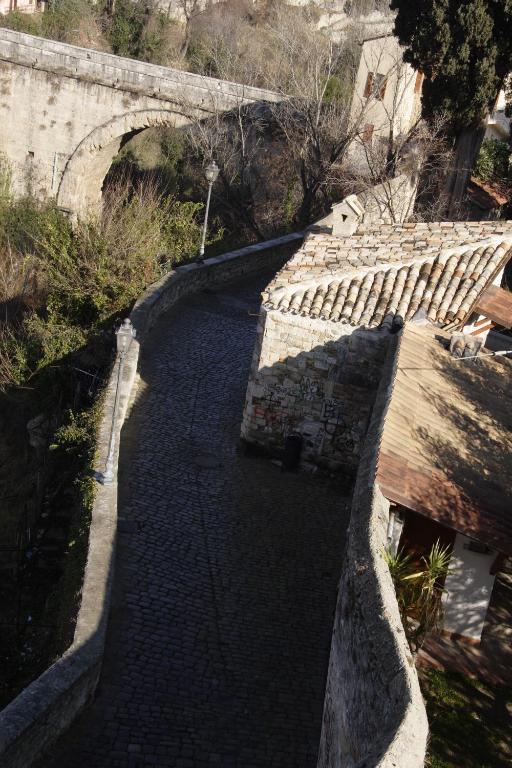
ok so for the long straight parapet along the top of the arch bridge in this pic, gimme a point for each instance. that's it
(75, 61)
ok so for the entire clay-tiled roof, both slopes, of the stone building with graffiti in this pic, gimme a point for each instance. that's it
(392, 269)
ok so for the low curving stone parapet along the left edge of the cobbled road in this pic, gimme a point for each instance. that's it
(37, 717)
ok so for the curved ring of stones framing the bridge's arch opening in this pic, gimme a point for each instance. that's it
(80, 188)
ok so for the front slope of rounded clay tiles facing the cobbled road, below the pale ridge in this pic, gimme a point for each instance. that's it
(445, 288)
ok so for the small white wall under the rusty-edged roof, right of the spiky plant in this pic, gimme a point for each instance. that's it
(469, 587)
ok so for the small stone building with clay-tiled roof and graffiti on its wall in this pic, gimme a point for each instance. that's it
(328, 315)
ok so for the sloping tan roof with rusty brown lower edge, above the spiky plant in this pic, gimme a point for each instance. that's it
(446, 447)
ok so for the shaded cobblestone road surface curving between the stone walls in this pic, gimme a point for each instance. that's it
(226, 571)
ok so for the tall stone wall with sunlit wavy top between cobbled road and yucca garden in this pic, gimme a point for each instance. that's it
(374, 716)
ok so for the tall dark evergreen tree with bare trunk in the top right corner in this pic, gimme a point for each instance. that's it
(464, 49)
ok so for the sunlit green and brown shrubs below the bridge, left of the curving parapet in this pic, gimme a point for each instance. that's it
(82, 279)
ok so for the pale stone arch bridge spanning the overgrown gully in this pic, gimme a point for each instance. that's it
(66, 111)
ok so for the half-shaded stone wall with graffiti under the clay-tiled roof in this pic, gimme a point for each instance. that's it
(318, 379)
